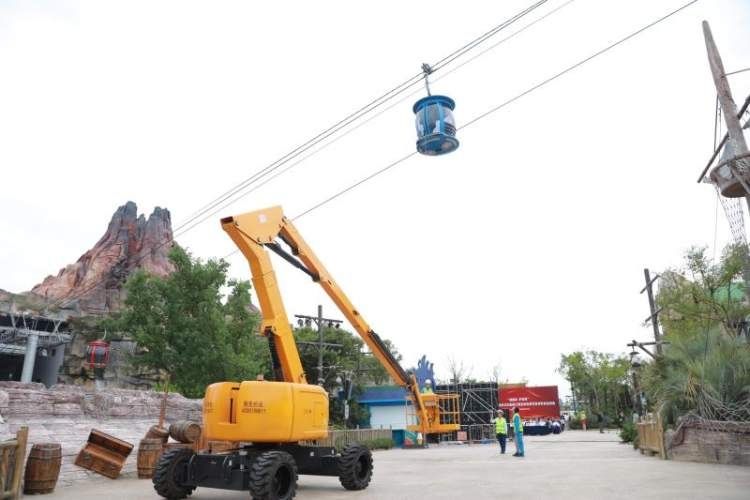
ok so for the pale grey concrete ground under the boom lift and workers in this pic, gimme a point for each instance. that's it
(574, 465)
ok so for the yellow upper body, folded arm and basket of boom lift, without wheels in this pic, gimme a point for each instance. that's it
(292, 410)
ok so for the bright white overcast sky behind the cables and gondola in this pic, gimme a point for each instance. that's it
(528, 242)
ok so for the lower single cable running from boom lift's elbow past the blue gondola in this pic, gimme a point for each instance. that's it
(500, 106)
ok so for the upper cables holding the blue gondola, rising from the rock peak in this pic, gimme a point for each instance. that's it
(372, 105)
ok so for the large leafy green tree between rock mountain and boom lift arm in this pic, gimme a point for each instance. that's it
(184, 325)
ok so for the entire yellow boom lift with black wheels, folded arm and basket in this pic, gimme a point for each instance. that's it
(278, 422)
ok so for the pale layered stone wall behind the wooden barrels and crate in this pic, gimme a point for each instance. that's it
(66, 414)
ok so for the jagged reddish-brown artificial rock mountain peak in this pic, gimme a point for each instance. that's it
(131, 242)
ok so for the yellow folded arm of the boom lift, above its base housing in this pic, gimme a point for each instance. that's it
(253, 233)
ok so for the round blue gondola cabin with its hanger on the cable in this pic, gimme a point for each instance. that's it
(436, 128)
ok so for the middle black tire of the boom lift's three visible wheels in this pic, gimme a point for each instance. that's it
(273, 476)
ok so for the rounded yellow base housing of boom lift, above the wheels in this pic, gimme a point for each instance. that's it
(265, 412)
